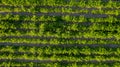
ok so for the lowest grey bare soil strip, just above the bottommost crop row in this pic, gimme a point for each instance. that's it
(56, 61)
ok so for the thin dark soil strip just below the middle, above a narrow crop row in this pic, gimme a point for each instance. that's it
(50, 37)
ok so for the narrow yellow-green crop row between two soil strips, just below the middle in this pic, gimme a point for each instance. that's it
(58, 41)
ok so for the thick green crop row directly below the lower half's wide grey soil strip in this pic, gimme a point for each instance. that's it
(83, 51)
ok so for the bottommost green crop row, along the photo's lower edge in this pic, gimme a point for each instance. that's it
(9, 63)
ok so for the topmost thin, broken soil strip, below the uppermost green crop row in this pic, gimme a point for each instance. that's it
(60, 7)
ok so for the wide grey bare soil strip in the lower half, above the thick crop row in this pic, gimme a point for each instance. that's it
(60, 45)
